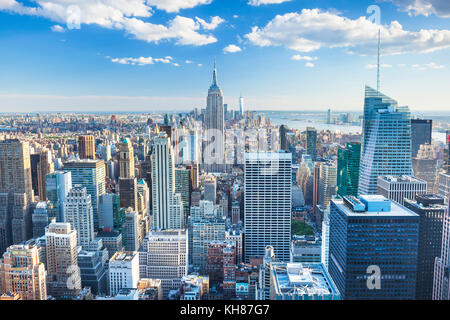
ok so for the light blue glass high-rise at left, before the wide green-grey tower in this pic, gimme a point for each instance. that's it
(58, 185)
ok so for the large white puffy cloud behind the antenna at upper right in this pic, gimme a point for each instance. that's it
(312, 29)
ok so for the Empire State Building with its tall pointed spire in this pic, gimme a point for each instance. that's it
(214, 156)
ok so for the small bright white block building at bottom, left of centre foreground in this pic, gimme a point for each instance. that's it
(123, 271)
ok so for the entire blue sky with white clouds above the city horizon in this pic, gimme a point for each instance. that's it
(144, 55)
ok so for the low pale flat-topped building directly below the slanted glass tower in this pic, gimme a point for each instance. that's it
(401, 188)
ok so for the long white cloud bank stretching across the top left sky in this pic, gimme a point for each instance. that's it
(123, 15)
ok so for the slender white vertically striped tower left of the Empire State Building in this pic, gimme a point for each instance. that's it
(167, 207)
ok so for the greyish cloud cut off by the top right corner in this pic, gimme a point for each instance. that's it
(424, 7)
